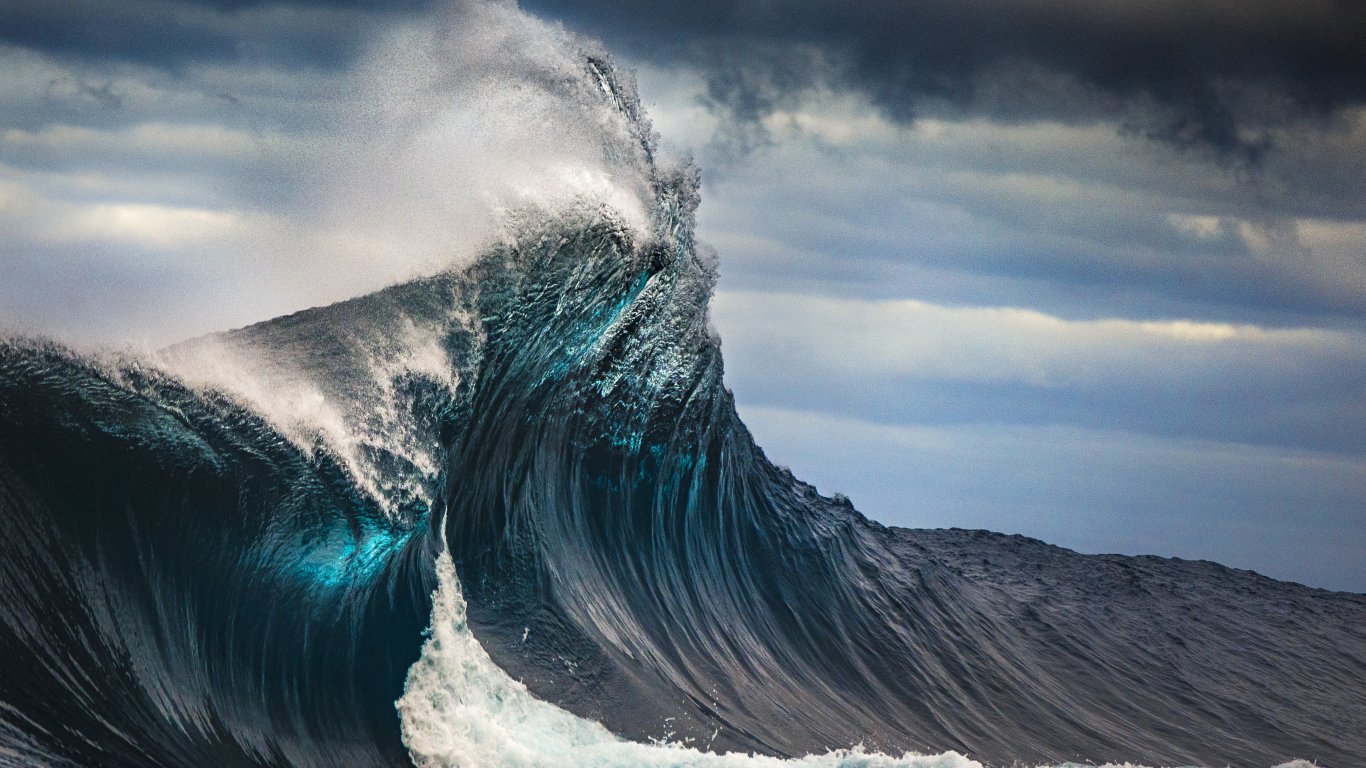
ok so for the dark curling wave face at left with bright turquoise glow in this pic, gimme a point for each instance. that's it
(185, 587)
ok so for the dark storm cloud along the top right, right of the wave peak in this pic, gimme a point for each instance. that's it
(1205, 74)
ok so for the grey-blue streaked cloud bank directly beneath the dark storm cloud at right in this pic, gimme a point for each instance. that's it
(1068, 219)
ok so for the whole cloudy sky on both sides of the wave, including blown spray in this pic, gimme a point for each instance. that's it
(1091, 273)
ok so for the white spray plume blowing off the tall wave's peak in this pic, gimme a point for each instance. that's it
(460, 122)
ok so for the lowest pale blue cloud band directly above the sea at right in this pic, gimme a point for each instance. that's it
(1286, 513)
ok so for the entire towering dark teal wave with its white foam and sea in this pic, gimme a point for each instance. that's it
(518, 501)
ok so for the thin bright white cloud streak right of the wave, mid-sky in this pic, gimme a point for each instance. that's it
(915, 340)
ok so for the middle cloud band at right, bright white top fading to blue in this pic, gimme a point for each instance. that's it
(912, 363)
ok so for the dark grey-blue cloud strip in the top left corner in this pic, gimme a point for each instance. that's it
(169, 33)
